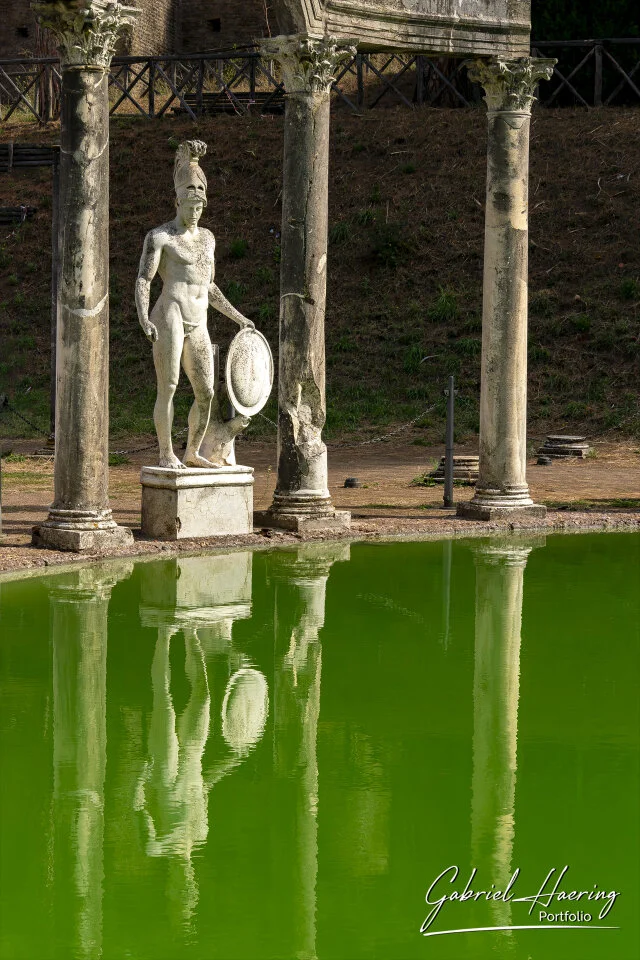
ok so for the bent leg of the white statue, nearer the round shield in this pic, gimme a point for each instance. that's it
(197, 359)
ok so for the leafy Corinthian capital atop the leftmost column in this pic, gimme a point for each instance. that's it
(86, 31)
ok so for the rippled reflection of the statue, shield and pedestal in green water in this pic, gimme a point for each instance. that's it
(201, 598)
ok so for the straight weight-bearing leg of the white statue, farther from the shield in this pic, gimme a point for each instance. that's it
(167, 351)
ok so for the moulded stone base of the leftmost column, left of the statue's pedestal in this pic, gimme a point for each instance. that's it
(81, 531)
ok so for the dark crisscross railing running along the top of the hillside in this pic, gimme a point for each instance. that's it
(589, 73)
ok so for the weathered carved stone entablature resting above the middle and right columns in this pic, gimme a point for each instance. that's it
(438, 26)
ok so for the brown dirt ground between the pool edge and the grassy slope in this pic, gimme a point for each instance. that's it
(601, 492)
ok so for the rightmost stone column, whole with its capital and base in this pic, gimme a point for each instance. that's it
(502, 485)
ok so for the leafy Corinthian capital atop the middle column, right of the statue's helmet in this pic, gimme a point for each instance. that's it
(308, 65)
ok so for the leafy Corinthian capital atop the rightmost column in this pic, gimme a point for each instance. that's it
(509, 84)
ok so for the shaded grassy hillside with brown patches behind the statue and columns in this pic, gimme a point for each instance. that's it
(405, 264)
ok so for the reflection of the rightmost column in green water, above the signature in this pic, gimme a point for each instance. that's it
(500, 570)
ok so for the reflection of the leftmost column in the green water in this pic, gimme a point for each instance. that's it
(79, 608)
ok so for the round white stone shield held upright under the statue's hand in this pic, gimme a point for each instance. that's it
(249, 371)
